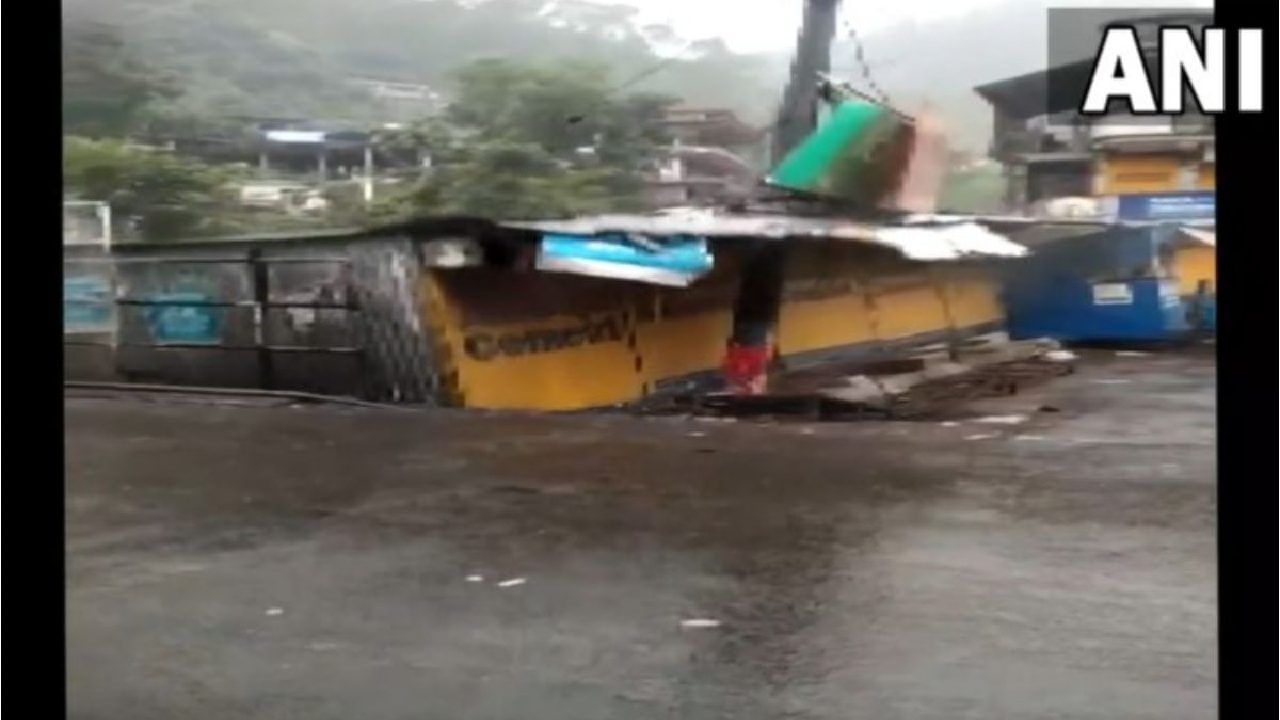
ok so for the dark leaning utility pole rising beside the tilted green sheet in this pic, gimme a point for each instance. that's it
(798, 116)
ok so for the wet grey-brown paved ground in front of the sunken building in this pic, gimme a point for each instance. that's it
(272, 562)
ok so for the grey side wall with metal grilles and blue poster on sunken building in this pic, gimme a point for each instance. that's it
(327, 318)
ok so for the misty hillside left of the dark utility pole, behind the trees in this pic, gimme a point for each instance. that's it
(298, 57)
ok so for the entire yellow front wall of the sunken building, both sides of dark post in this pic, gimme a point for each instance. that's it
(560, 343)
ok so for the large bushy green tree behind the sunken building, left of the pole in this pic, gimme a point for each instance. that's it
(533, 142)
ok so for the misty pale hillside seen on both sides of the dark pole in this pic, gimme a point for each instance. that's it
(298, 57)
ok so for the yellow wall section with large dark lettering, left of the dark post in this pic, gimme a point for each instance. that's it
(527, 341)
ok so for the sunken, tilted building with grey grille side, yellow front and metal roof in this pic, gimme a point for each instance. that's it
(546, 316)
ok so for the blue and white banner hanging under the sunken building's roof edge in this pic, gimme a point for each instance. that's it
(675, 262)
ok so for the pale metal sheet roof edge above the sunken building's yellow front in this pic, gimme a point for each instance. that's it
(926, 238)
